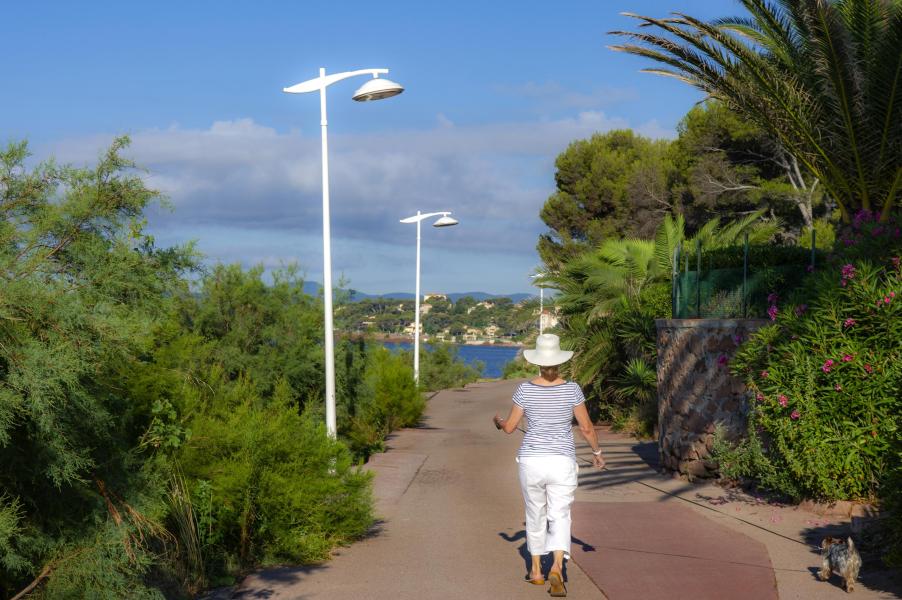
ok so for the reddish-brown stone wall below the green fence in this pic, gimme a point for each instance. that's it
(696, 391)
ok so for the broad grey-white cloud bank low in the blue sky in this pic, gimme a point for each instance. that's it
(252, 194)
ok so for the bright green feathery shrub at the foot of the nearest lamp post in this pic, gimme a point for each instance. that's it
(269, 485)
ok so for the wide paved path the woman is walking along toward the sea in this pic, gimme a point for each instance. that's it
(452, 527)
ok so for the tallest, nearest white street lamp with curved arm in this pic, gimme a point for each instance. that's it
(375, 89)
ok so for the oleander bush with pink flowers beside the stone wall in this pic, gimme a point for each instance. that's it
(826, 383)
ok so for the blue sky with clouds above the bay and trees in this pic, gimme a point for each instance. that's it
(495, 90)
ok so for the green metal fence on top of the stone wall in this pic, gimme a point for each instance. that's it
(738, 281)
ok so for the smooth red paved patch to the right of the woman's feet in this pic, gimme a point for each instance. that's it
(663, 551)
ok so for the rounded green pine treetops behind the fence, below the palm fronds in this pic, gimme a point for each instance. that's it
(618, 185)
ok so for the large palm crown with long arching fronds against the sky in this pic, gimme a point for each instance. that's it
(824, 77)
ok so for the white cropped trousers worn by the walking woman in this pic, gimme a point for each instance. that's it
(548, 484)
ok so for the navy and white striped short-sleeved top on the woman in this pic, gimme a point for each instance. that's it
(549, 417)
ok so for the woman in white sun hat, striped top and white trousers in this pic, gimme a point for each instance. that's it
(547, 456)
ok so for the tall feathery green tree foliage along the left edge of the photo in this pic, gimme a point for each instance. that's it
(83, 288)
